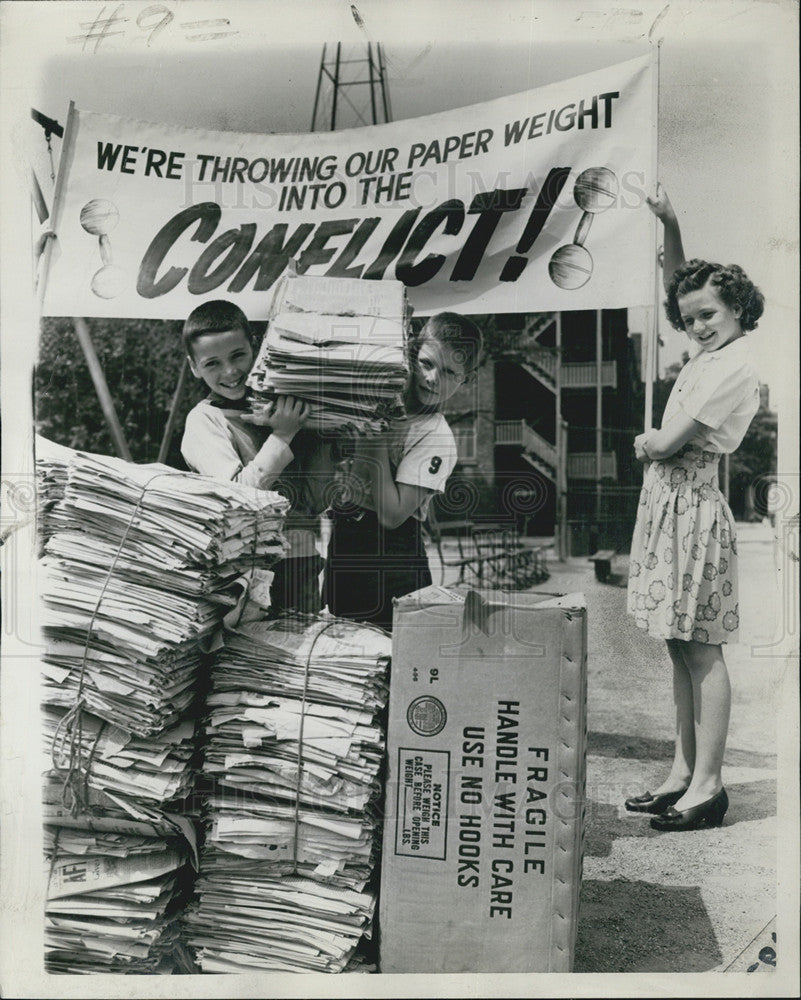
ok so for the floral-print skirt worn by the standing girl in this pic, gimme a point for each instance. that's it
(683, 567)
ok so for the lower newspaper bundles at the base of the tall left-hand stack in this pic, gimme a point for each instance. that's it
(116, 846)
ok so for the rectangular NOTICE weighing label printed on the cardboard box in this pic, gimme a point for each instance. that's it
(422, 803)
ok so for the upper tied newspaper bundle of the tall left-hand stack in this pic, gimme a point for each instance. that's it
(141, 564)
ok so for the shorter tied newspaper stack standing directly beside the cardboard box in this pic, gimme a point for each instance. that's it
(294, 750)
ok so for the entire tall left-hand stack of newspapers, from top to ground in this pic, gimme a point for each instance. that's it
(140, 566)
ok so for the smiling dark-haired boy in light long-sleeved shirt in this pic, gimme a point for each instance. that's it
(230, 436)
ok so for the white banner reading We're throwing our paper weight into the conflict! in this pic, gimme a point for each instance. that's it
(523, 204)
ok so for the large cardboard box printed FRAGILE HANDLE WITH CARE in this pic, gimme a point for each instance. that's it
(482, 853)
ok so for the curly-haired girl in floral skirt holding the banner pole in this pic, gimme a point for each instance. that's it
(683, 567)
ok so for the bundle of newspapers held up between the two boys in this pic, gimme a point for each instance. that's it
(340, 344)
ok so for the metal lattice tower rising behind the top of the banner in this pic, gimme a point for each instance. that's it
(341, 100)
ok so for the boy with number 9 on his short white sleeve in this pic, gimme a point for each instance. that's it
(376, 549)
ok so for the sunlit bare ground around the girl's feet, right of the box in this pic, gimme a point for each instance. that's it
(680, 902)
